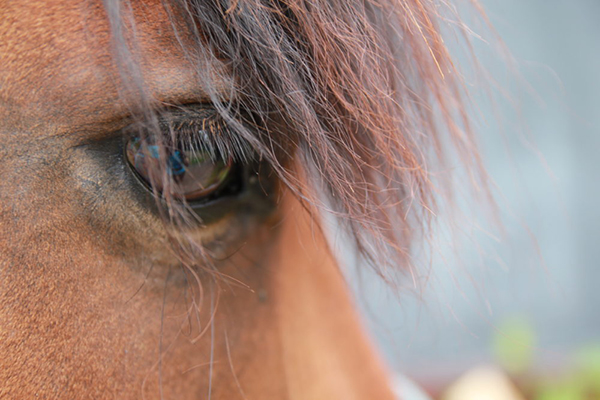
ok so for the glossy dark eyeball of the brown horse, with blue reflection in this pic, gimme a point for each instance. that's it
(187, 173)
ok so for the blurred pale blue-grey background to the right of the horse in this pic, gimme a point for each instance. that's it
(526, 300)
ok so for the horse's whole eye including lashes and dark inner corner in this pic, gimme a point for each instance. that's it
(196, 161)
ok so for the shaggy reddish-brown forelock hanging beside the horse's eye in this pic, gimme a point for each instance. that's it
(356, 104)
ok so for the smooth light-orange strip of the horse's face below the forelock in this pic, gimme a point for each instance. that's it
(325, 353)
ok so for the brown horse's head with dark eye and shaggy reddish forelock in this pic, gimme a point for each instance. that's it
(170, 170)
